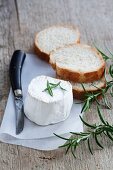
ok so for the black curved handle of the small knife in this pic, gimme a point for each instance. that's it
(15, 70)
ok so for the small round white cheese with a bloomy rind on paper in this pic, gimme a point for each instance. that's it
(44, 109)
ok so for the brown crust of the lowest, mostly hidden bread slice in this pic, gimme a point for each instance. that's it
(80, 93)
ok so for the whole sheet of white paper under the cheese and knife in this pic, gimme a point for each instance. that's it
(37, 136)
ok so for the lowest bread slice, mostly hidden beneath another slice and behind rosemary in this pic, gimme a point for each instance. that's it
(79, 92)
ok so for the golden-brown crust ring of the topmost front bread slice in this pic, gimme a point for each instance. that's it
(78, 76)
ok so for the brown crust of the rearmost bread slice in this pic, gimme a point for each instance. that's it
(45, 56)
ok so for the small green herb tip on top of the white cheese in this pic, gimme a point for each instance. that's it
(51, 86)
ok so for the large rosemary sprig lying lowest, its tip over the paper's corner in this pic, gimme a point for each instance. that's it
(94, 131)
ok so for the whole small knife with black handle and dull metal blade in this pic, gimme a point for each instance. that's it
(15, 70)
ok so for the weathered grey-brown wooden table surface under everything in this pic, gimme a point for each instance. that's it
(19, 21)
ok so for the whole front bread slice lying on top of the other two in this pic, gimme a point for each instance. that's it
(78, 63)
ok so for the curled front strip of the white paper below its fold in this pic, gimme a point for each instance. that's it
(46, 144)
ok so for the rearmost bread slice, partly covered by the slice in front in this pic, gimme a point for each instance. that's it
(53, 38)
